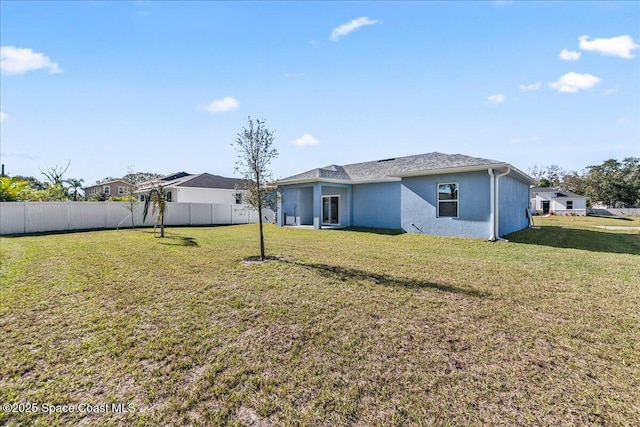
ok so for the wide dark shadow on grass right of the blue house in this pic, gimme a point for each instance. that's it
(575, 238)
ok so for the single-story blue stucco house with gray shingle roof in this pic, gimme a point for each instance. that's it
(434, 193)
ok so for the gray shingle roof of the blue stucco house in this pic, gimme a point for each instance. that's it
(394, 167)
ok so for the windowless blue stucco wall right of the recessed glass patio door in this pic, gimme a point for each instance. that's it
(377, 205)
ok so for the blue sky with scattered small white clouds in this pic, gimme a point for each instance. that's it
(166, 86)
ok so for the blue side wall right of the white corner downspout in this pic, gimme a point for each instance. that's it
(514, 200)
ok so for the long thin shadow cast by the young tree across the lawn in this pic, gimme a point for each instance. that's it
(344, 274)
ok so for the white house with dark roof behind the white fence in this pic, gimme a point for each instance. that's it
(199, 188)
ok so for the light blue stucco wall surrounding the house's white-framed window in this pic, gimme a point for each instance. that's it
(419, 201)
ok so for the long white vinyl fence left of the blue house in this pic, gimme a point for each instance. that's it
(35, 217)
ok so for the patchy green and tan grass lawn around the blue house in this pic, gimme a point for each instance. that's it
(346, 328)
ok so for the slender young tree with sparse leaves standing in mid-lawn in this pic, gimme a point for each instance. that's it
(255, 152)
